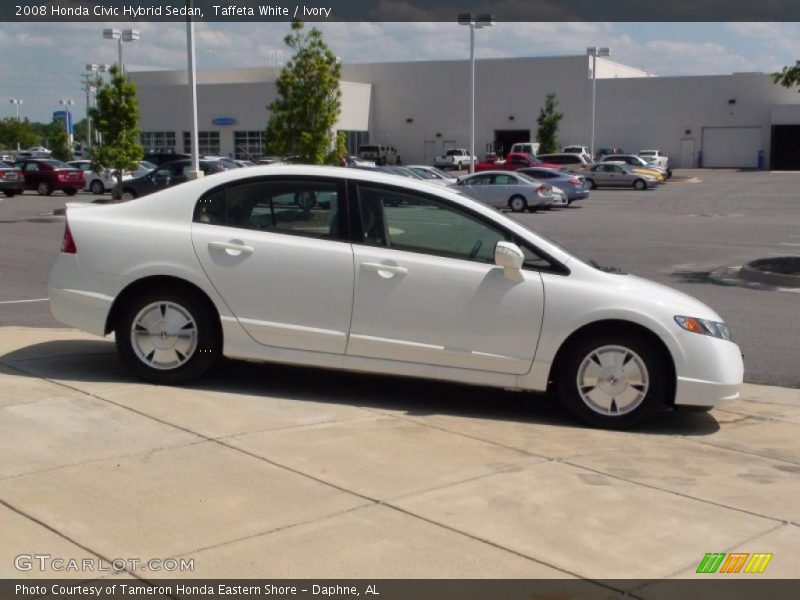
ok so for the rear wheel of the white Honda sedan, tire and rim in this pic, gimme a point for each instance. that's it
(167, 337)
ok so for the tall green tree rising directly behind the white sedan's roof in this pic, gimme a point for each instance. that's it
(308, 102)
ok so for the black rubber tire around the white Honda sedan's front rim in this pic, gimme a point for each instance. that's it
(568, 371)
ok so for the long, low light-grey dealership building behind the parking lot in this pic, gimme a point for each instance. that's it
(422, 108)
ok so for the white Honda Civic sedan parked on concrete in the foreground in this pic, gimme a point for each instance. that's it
(364, 271)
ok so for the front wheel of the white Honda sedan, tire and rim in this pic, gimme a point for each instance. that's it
(612, 380)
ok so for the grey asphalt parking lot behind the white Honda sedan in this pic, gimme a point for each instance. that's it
(675, 235)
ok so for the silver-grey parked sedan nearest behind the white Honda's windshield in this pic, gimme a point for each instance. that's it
(503, 189)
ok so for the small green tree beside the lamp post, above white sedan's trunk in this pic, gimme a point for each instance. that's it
(116, 117)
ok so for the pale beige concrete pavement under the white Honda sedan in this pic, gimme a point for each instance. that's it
(275, 471)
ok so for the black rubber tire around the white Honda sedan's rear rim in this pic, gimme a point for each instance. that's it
(207, 349)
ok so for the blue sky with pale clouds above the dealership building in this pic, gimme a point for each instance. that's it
(44, 61)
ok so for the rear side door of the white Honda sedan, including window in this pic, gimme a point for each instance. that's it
(276, 250)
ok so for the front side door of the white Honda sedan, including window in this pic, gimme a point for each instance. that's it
(427, 289)
